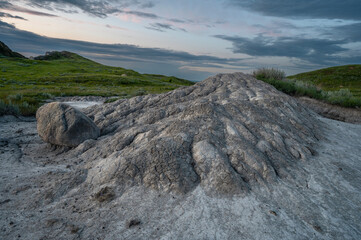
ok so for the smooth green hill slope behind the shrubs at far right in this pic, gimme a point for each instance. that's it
(334, 78)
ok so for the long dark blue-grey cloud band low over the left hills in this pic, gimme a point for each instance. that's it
(151, 60)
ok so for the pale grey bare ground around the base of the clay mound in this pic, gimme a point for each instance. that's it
(42, 197)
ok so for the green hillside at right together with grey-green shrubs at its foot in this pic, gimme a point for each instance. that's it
(339, 86)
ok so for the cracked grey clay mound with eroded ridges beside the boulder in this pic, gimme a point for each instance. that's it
(226, 133)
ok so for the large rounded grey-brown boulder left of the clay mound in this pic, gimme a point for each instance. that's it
(63, 125)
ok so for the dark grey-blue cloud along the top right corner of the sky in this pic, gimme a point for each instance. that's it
(327, 9)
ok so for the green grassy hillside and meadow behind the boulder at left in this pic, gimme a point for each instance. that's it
(26, 83)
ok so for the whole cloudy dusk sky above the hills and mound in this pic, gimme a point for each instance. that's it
(187, 38)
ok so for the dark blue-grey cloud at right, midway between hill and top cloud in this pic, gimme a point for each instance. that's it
(313, 50)
